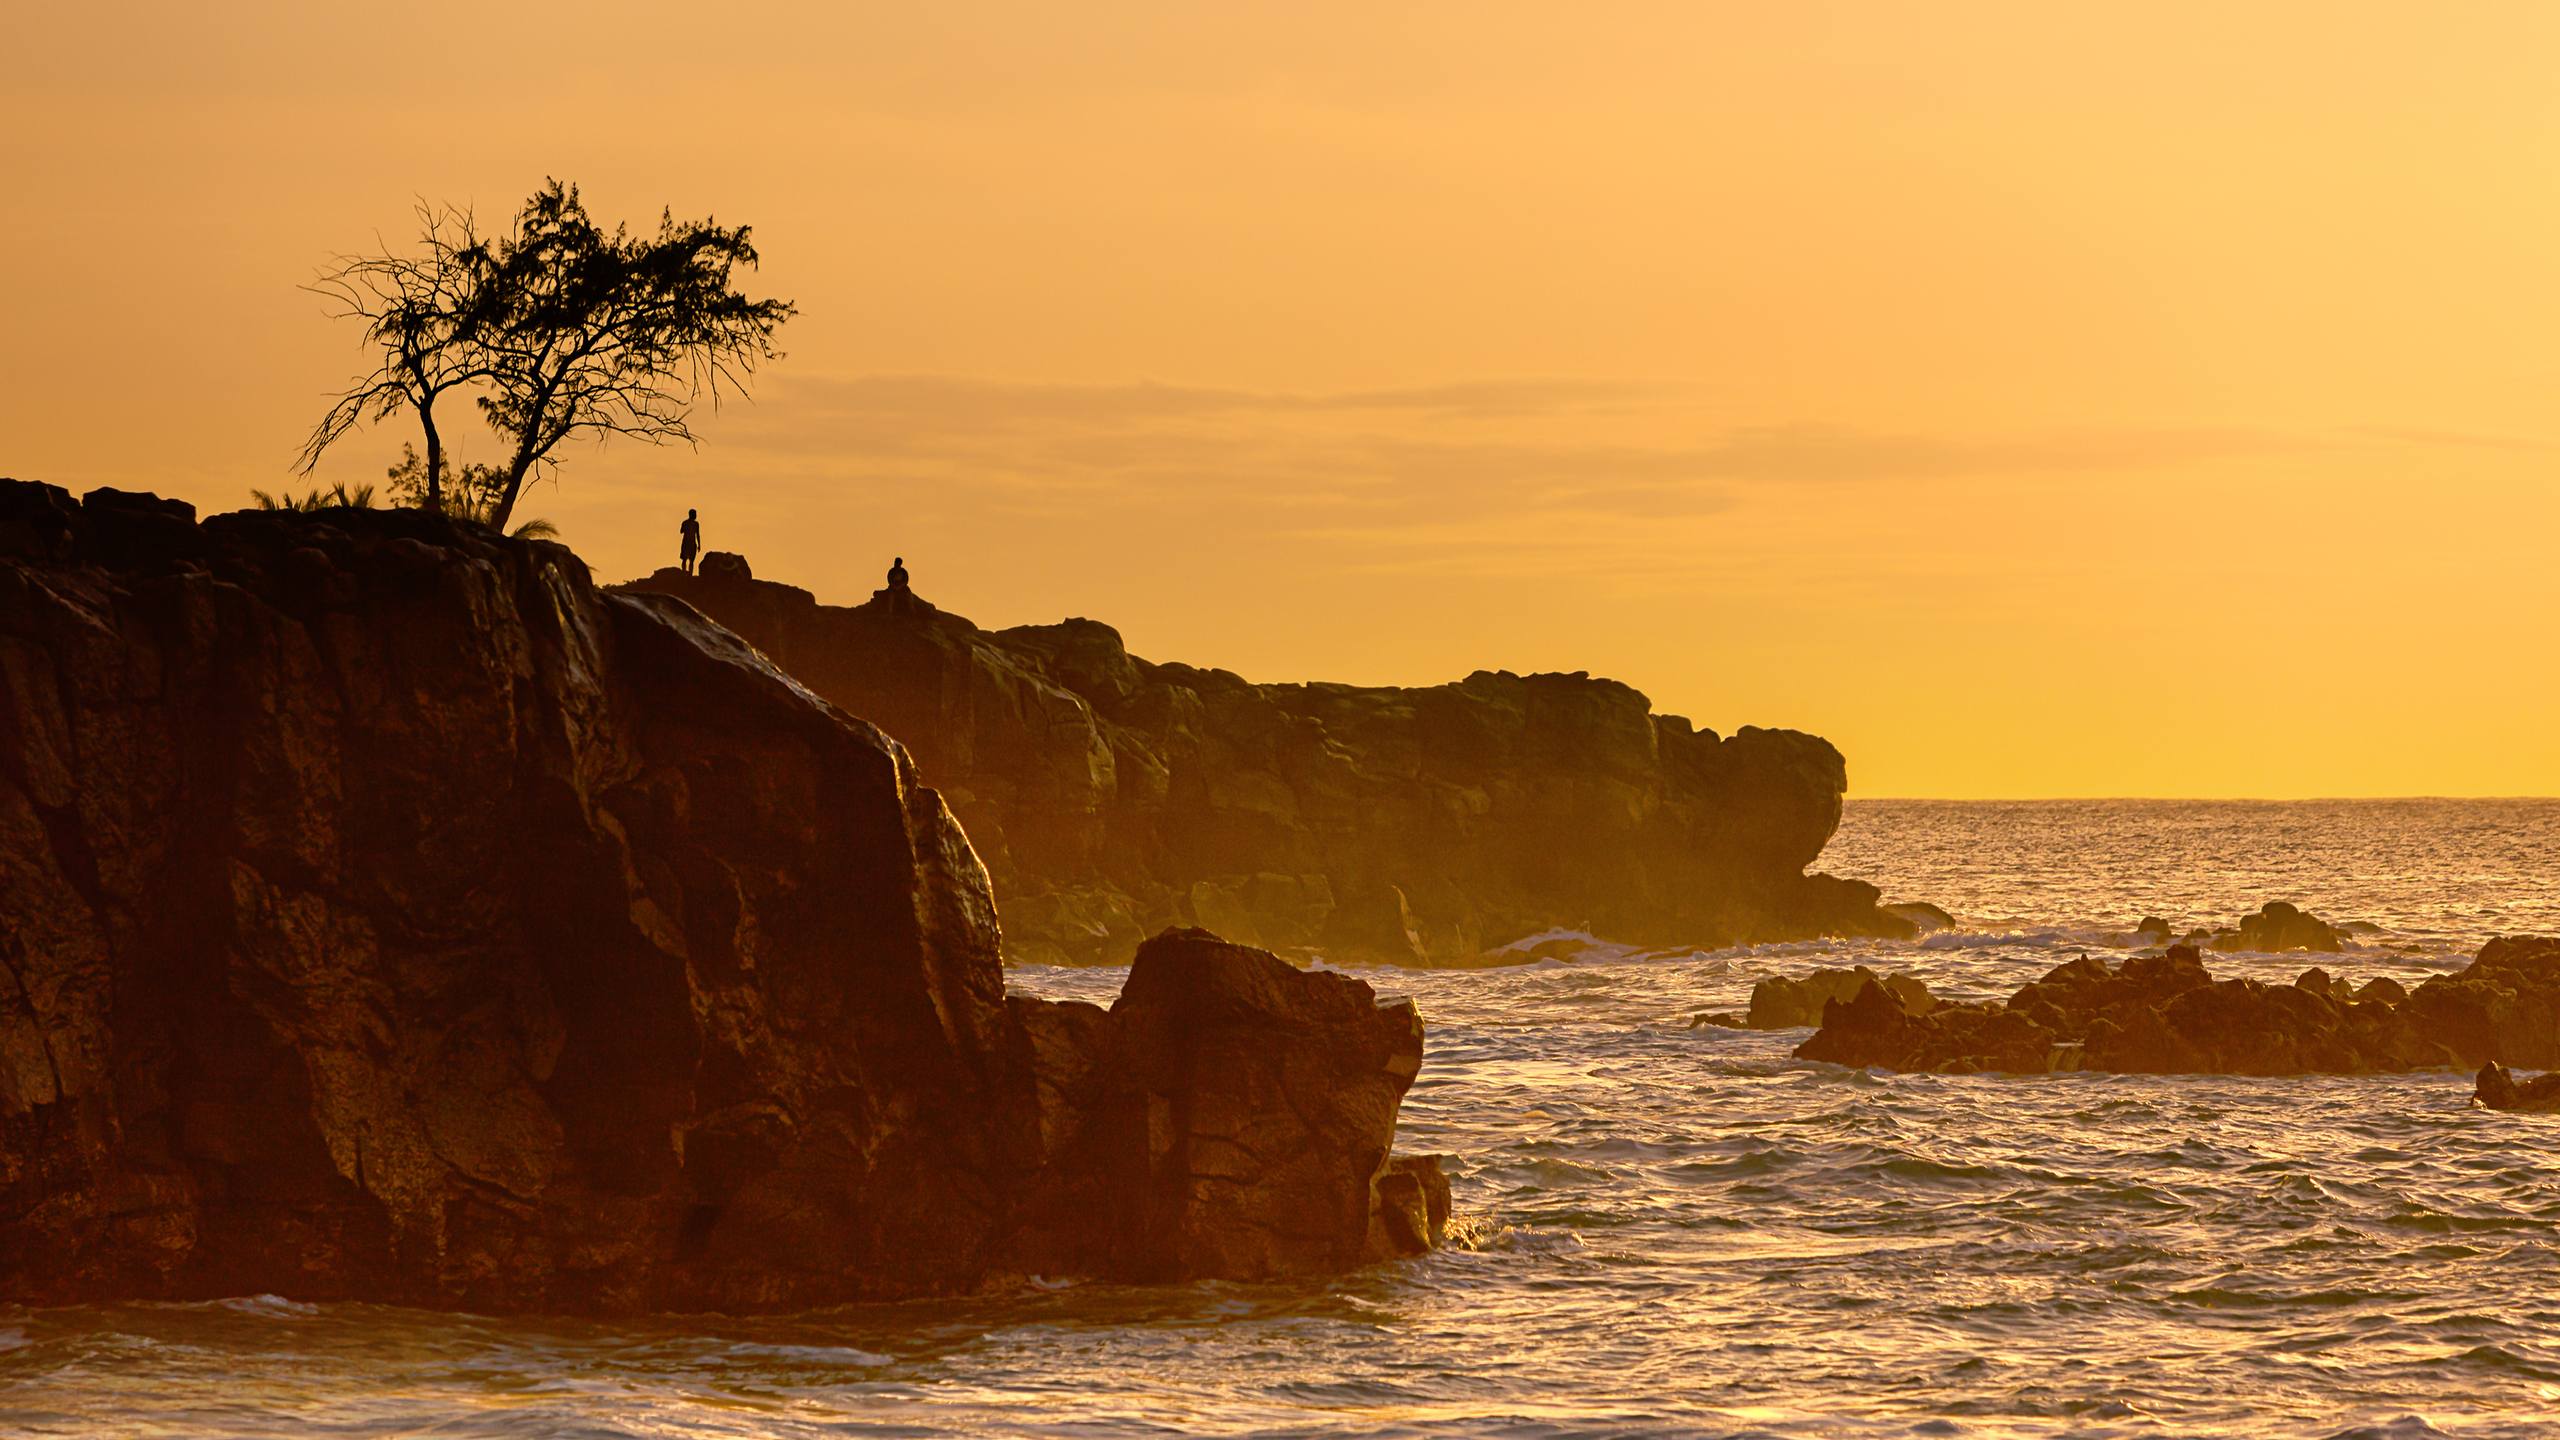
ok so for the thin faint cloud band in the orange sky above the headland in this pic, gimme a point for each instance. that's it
(1576, 473)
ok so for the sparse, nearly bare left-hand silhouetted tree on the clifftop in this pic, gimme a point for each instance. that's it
(429, 311)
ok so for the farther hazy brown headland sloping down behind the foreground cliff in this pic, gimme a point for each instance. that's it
(1417, 826)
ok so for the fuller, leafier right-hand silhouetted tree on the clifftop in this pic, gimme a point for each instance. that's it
(613, 334)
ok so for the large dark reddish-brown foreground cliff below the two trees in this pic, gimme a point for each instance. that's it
(388, 913)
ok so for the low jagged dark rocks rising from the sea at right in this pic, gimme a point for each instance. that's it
(2170, 1016)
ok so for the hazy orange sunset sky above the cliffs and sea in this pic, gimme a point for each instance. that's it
(2031, 398)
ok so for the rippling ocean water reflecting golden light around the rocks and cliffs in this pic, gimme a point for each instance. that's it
(1673, 1231)
